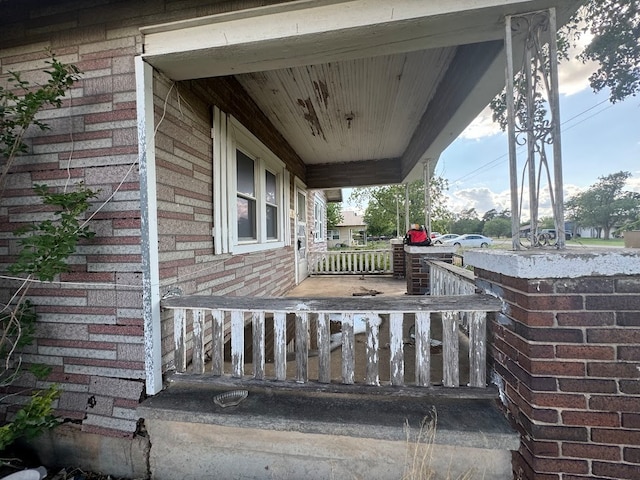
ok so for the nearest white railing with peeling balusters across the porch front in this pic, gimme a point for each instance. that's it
(214, 319)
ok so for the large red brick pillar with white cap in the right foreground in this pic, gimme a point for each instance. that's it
(566, 354)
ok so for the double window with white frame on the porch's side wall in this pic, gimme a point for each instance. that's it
(250, 194)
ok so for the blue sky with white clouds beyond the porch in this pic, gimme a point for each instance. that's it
(598, 138)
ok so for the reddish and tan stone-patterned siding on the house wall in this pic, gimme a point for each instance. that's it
(90, 329)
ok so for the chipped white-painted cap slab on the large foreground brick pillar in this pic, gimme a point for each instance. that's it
(572, 263)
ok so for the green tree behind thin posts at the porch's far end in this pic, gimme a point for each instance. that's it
(385, 206)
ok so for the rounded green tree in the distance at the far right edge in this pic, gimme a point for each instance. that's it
(605, 205)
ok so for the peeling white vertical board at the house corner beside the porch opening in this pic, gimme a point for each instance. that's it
(149, 227)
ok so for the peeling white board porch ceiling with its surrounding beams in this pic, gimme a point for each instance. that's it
(365, 92)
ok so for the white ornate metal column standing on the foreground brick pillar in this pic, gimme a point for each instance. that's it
(533, 121)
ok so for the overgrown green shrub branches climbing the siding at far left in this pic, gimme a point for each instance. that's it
(44, 247)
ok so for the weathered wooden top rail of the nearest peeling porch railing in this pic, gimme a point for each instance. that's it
(409, 304)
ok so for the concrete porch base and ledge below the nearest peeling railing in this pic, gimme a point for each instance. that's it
(317, 435)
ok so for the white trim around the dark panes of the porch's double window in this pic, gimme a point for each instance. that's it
(230, 135)
